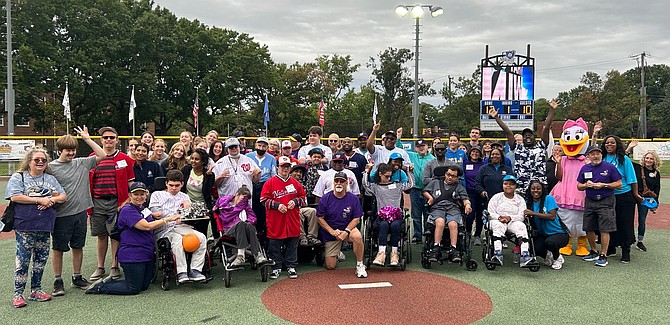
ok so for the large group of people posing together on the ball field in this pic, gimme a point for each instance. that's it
(284, 194)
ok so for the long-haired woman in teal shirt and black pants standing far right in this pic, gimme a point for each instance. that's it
(627, 197)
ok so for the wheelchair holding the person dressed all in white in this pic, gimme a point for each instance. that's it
(488, 249)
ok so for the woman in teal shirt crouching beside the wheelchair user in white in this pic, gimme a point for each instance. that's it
(551, 234)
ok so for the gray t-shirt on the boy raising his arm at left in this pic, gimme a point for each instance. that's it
(73, 176)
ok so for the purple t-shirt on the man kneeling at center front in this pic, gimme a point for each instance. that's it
(338, 213)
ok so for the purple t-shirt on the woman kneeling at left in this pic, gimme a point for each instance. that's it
(137, 246)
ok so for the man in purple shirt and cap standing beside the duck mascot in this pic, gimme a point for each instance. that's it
(598, 179)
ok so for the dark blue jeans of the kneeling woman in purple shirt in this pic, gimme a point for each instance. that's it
(138, 278)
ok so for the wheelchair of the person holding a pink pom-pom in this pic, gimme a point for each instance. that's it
(371, 245)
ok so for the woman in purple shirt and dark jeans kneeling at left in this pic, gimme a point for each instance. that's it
(137, 246)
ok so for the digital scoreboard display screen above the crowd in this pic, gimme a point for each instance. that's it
(510, 90)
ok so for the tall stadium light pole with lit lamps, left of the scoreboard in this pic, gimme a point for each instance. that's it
(417, 12)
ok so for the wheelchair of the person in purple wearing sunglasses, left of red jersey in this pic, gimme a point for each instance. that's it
(224, 249)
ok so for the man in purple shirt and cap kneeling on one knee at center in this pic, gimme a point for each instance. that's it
(339, 212)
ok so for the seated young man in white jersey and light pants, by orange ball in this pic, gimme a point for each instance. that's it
(166, 203)
